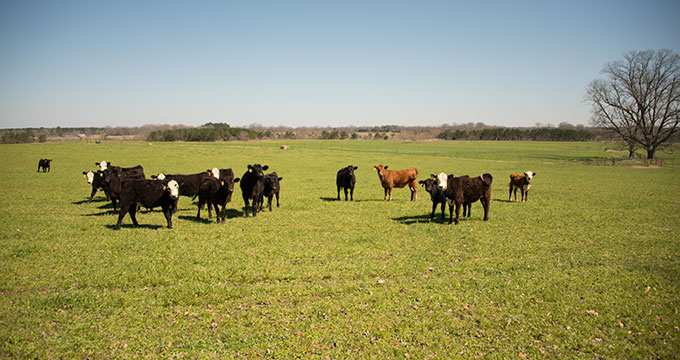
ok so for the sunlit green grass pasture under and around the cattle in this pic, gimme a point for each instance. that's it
(588, 268)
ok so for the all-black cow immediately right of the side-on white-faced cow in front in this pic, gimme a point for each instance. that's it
(215, 193)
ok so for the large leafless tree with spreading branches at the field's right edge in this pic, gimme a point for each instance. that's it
(639, 99)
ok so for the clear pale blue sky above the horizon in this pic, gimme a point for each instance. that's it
(314, 63)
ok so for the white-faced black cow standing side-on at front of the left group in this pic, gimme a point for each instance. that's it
(150, 194)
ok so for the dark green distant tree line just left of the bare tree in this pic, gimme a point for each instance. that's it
(537, 134)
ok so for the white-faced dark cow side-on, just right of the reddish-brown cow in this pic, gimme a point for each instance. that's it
(461, 190)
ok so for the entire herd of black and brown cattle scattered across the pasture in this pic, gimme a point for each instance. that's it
(214, 188)
